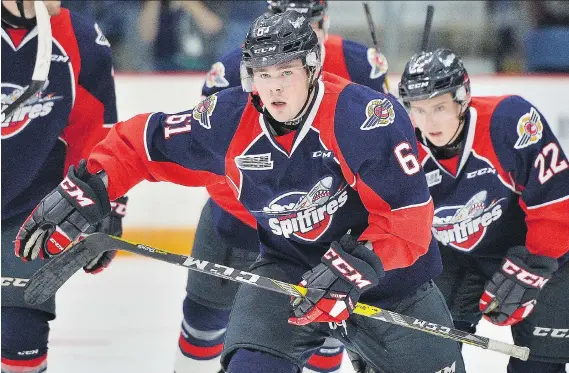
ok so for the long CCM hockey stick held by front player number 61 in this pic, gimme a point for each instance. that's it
(46, 281)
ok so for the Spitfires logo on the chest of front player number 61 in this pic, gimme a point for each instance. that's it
(306, 215)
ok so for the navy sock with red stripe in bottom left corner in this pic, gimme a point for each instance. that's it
(24, 340)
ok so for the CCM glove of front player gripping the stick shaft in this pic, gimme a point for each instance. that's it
(334, 286)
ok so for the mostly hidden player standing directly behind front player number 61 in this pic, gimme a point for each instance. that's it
(226, 231)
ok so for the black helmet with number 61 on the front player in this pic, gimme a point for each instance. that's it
(276, 39)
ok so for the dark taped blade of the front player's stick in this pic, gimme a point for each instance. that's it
(49, 278)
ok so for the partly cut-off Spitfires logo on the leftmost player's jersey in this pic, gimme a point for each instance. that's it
(39, 105)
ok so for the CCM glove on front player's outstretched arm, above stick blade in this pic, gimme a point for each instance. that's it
(69, 212)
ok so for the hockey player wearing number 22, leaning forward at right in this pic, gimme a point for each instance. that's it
(500, 184)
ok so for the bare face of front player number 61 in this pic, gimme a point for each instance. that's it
(282, 88)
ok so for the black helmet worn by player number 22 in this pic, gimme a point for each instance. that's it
(431, 74)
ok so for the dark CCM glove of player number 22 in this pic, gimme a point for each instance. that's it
(512, 293)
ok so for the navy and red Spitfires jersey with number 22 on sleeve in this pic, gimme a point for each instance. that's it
(510, 185)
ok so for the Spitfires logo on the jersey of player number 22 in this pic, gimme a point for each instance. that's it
(463, 227)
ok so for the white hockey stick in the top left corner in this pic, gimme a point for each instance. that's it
(43, 60)
